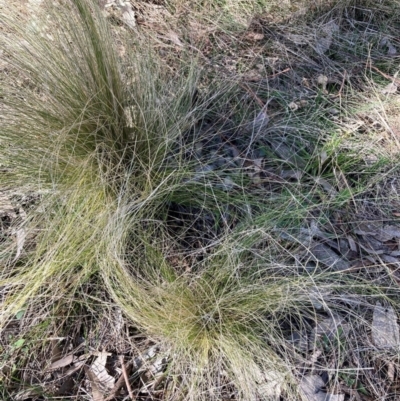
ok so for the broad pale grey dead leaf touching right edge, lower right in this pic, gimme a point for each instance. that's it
(385, 330)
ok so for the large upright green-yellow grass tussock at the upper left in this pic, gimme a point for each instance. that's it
(75, 132)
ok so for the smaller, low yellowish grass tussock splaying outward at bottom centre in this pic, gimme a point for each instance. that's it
(217, 328)
